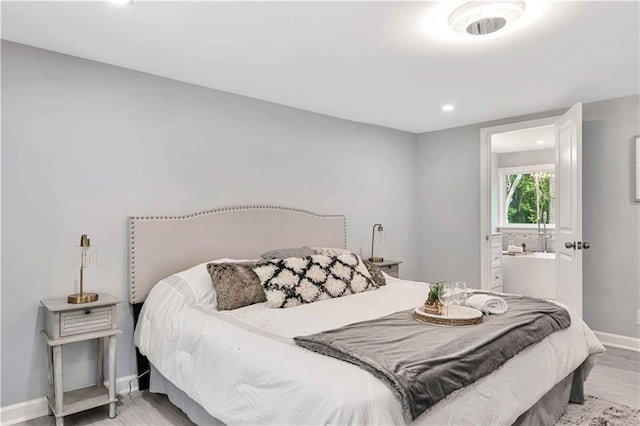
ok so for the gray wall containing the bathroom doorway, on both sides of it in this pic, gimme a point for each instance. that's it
(448, 208)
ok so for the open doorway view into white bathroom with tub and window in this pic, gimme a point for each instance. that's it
(522, 182)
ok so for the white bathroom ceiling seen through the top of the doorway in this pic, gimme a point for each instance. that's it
(523, 140)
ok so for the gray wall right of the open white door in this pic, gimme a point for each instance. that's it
(611, 218)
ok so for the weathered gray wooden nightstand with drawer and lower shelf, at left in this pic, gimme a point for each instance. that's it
(69, 323)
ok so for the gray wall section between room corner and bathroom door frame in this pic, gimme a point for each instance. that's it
(448, 205)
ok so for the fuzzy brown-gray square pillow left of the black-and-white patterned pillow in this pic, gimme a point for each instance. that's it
(236, 285)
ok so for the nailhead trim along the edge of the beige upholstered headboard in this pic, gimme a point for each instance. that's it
(134, 219)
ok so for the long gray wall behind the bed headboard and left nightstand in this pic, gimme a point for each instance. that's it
(85, 144)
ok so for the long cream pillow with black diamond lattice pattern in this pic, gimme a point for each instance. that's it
(297, 280)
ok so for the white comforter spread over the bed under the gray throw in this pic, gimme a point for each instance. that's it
(243, 367)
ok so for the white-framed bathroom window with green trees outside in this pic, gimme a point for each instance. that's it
(527, 194)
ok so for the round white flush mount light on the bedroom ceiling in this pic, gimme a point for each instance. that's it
(479, 20)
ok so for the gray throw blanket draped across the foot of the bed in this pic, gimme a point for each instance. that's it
(424, 363)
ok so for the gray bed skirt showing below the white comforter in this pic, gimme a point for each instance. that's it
(546, 411)
